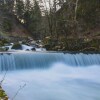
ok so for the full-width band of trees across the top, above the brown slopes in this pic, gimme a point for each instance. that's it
(58, 17)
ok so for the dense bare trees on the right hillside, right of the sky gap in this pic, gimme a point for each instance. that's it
(77, 16)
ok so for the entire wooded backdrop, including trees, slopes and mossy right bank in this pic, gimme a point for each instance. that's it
(62, 25)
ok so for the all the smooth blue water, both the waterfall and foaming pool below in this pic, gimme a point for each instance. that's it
(51, 76)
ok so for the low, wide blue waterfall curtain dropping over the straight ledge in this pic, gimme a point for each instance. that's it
(28, 60)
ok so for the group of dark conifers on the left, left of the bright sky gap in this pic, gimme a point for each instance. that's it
(27, 13)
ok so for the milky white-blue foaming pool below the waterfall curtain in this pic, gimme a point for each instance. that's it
(60, 82)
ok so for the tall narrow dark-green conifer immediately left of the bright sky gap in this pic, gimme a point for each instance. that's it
(35, 19)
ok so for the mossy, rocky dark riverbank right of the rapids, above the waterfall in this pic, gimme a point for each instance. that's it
(72, 44)
